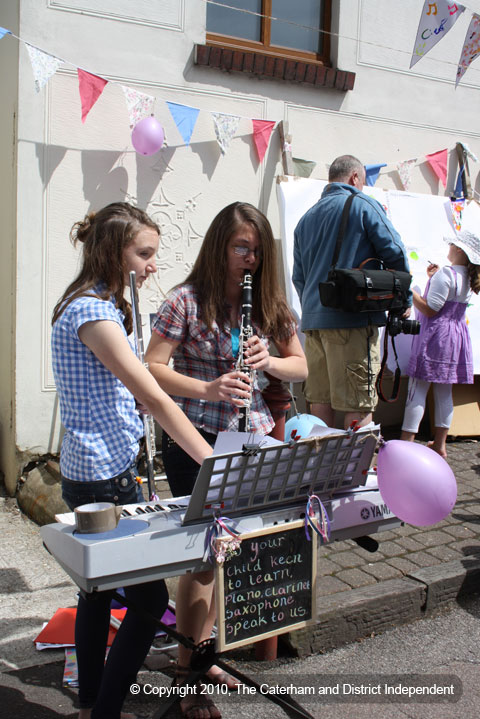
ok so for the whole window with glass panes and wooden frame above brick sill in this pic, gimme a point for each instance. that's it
(290, 28)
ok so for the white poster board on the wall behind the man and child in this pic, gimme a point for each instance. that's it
(421, 220)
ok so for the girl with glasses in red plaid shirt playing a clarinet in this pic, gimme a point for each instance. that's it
(198, 327)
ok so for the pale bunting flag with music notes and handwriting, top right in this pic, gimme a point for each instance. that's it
(436, 20)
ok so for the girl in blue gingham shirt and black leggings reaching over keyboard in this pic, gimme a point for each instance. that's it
(99, 379)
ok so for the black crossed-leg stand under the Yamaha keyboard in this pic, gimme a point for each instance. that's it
(204, 656)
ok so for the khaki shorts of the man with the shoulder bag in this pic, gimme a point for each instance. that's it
(338, 368)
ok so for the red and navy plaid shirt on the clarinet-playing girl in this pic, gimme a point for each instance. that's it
(205, 355)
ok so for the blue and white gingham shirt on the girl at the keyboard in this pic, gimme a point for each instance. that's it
(102, 424)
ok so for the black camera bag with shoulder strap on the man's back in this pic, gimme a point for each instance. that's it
(359, 289)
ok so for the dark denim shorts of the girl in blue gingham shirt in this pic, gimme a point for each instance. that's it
(122, 489)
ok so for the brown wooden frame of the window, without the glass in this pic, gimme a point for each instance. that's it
(264, 45)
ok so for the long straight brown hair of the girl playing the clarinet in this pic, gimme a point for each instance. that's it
(209, 273)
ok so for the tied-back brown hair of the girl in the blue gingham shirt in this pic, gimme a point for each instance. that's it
(105, 235)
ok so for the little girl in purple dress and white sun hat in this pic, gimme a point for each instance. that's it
(442, 352)
